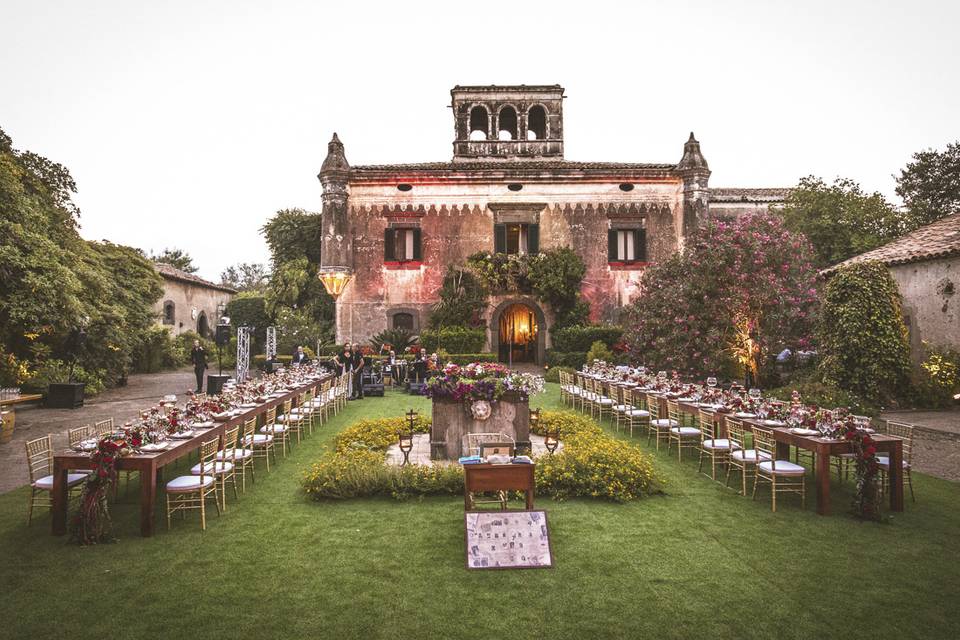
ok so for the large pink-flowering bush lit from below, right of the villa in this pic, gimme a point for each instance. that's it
(739, 293)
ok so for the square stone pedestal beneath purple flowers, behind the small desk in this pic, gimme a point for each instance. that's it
(452, 421)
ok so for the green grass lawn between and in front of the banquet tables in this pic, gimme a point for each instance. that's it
(699, 561)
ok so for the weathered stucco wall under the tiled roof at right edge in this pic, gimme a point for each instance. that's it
(931, 296)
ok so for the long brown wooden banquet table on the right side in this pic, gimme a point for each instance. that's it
(823, 448)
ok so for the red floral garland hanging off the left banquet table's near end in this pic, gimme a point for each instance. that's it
(91, 524)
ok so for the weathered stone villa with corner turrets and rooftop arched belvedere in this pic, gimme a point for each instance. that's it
(508, 189)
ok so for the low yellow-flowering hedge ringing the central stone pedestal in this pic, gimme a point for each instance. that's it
(591, 464)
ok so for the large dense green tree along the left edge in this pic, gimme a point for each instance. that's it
(52, 281)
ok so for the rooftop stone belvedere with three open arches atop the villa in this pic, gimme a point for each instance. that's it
(509, 123)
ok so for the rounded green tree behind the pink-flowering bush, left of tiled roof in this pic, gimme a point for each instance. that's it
(840, 219)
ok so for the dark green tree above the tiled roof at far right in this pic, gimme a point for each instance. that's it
(930, 184)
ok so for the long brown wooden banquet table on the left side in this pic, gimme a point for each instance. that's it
(150, 465)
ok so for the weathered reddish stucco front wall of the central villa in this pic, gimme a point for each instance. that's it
(457, 220)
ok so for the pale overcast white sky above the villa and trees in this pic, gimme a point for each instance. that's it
(188, 124)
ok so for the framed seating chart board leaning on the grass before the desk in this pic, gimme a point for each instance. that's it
(507, 540)
